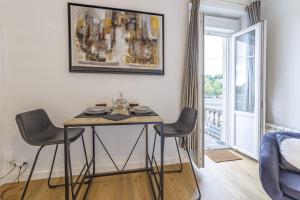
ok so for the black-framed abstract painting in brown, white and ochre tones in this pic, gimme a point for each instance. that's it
(115, 40)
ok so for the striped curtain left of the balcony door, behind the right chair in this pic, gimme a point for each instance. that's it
(189, 96)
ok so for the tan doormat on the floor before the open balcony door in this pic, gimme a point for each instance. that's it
(221, 155)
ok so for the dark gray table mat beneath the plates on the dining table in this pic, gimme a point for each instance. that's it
(116, 117)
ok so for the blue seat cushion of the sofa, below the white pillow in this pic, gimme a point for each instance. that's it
(290, 183)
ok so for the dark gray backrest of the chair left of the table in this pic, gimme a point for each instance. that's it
(32, 124)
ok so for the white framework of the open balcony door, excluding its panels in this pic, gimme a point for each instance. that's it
(260, 87)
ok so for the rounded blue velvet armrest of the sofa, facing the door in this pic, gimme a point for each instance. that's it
(269, 166)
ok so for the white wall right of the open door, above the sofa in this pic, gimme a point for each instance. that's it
(283, 62)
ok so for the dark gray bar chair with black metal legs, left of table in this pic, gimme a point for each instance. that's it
(36, 129)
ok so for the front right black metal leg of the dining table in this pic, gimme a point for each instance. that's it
(161, 174)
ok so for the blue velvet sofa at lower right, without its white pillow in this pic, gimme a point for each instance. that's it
(280, 184)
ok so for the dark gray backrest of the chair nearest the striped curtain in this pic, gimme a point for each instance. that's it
(188, 119)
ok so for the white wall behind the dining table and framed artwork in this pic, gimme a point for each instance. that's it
(37, 76)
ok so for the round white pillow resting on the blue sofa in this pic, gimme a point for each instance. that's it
(289, 144)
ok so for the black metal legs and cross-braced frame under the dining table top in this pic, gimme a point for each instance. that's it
(87, 175)
